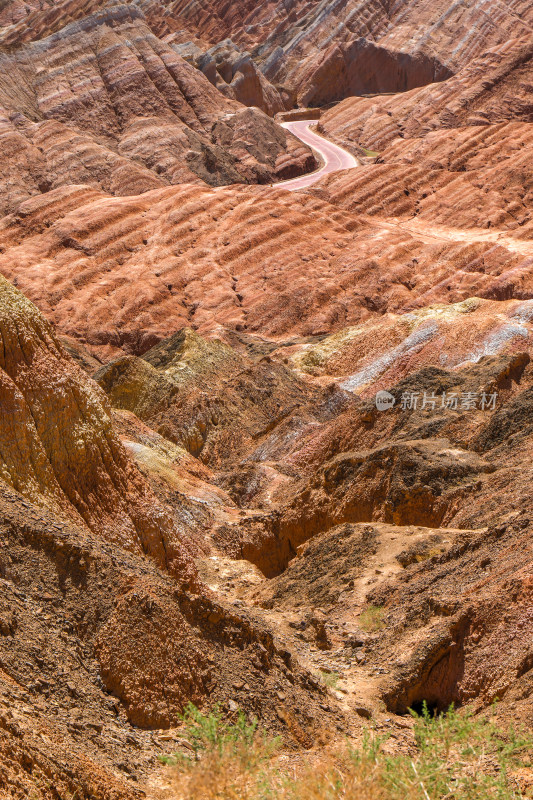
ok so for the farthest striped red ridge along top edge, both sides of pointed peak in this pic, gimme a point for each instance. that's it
(320, 50)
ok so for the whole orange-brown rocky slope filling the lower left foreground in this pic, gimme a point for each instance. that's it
(99, 591)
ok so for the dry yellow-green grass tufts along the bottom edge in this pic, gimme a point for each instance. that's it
(457, 758)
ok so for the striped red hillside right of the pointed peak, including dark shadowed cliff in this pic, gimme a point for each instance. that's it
(327, 51)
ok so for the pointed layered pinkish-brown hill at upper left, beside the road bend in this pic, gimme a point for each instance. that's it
(104, 101)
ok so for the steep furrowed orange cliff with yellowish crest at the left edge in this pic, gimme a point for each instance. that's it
(59, 449)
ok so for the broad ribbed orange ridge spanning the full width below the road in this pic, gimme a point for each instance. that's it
(257, 260)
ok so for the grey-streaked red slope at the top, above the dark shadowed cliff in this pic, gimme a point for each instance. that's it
(405, 22)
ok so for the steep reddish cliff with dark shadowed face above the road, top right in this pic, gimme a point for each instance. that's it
(353, 50)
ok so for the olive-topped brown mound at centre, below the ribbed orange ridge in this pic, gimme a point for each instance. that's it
(216, 402)
